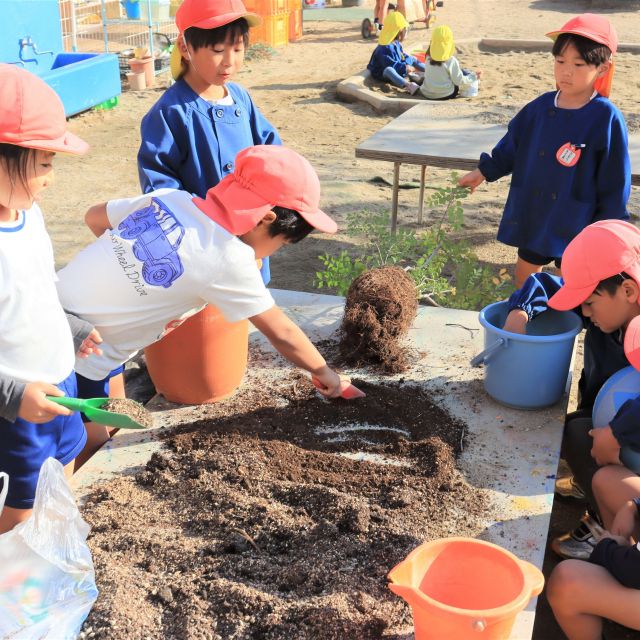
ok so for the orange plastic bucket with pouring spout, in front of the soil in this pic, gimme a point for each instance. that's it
(464, 588)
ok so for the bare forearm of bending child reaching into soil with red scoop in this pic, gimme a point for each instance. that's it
(289, 340)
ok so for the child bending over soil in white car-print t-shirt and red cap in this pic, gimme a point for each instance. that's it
(164, 255)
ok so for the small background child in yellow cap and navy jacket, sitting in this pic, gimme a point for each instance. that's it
(389, 63)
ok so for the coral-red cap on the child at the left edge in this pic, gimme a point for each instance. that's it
(32, 114)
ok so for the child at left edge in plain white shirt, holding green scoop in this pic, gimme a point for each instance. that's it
(36, 343)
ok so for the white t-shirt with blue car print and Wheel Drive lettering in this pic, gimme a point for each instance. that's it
(162, 262)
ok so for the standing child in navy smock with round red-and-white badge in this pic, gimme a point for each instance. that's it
(566, 150)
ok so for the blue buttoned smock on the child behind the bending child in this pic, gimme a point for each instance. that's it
(190, 144)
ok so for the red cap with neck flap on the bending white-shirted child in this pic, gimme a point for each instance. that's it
(265, 176)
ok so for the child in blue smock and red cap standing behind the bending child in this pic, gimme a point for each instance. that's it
(192, 135)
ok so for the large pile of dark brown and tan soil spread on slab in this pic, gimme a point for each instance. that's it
(278, 518)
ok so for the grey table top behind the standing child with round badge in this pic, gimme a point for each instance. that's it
(453, 143)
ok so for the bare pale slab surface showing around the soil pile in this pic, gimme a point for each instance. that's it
(512, 454)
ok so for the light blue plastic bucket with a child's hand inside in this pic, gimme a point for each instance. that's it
(527, 371)
